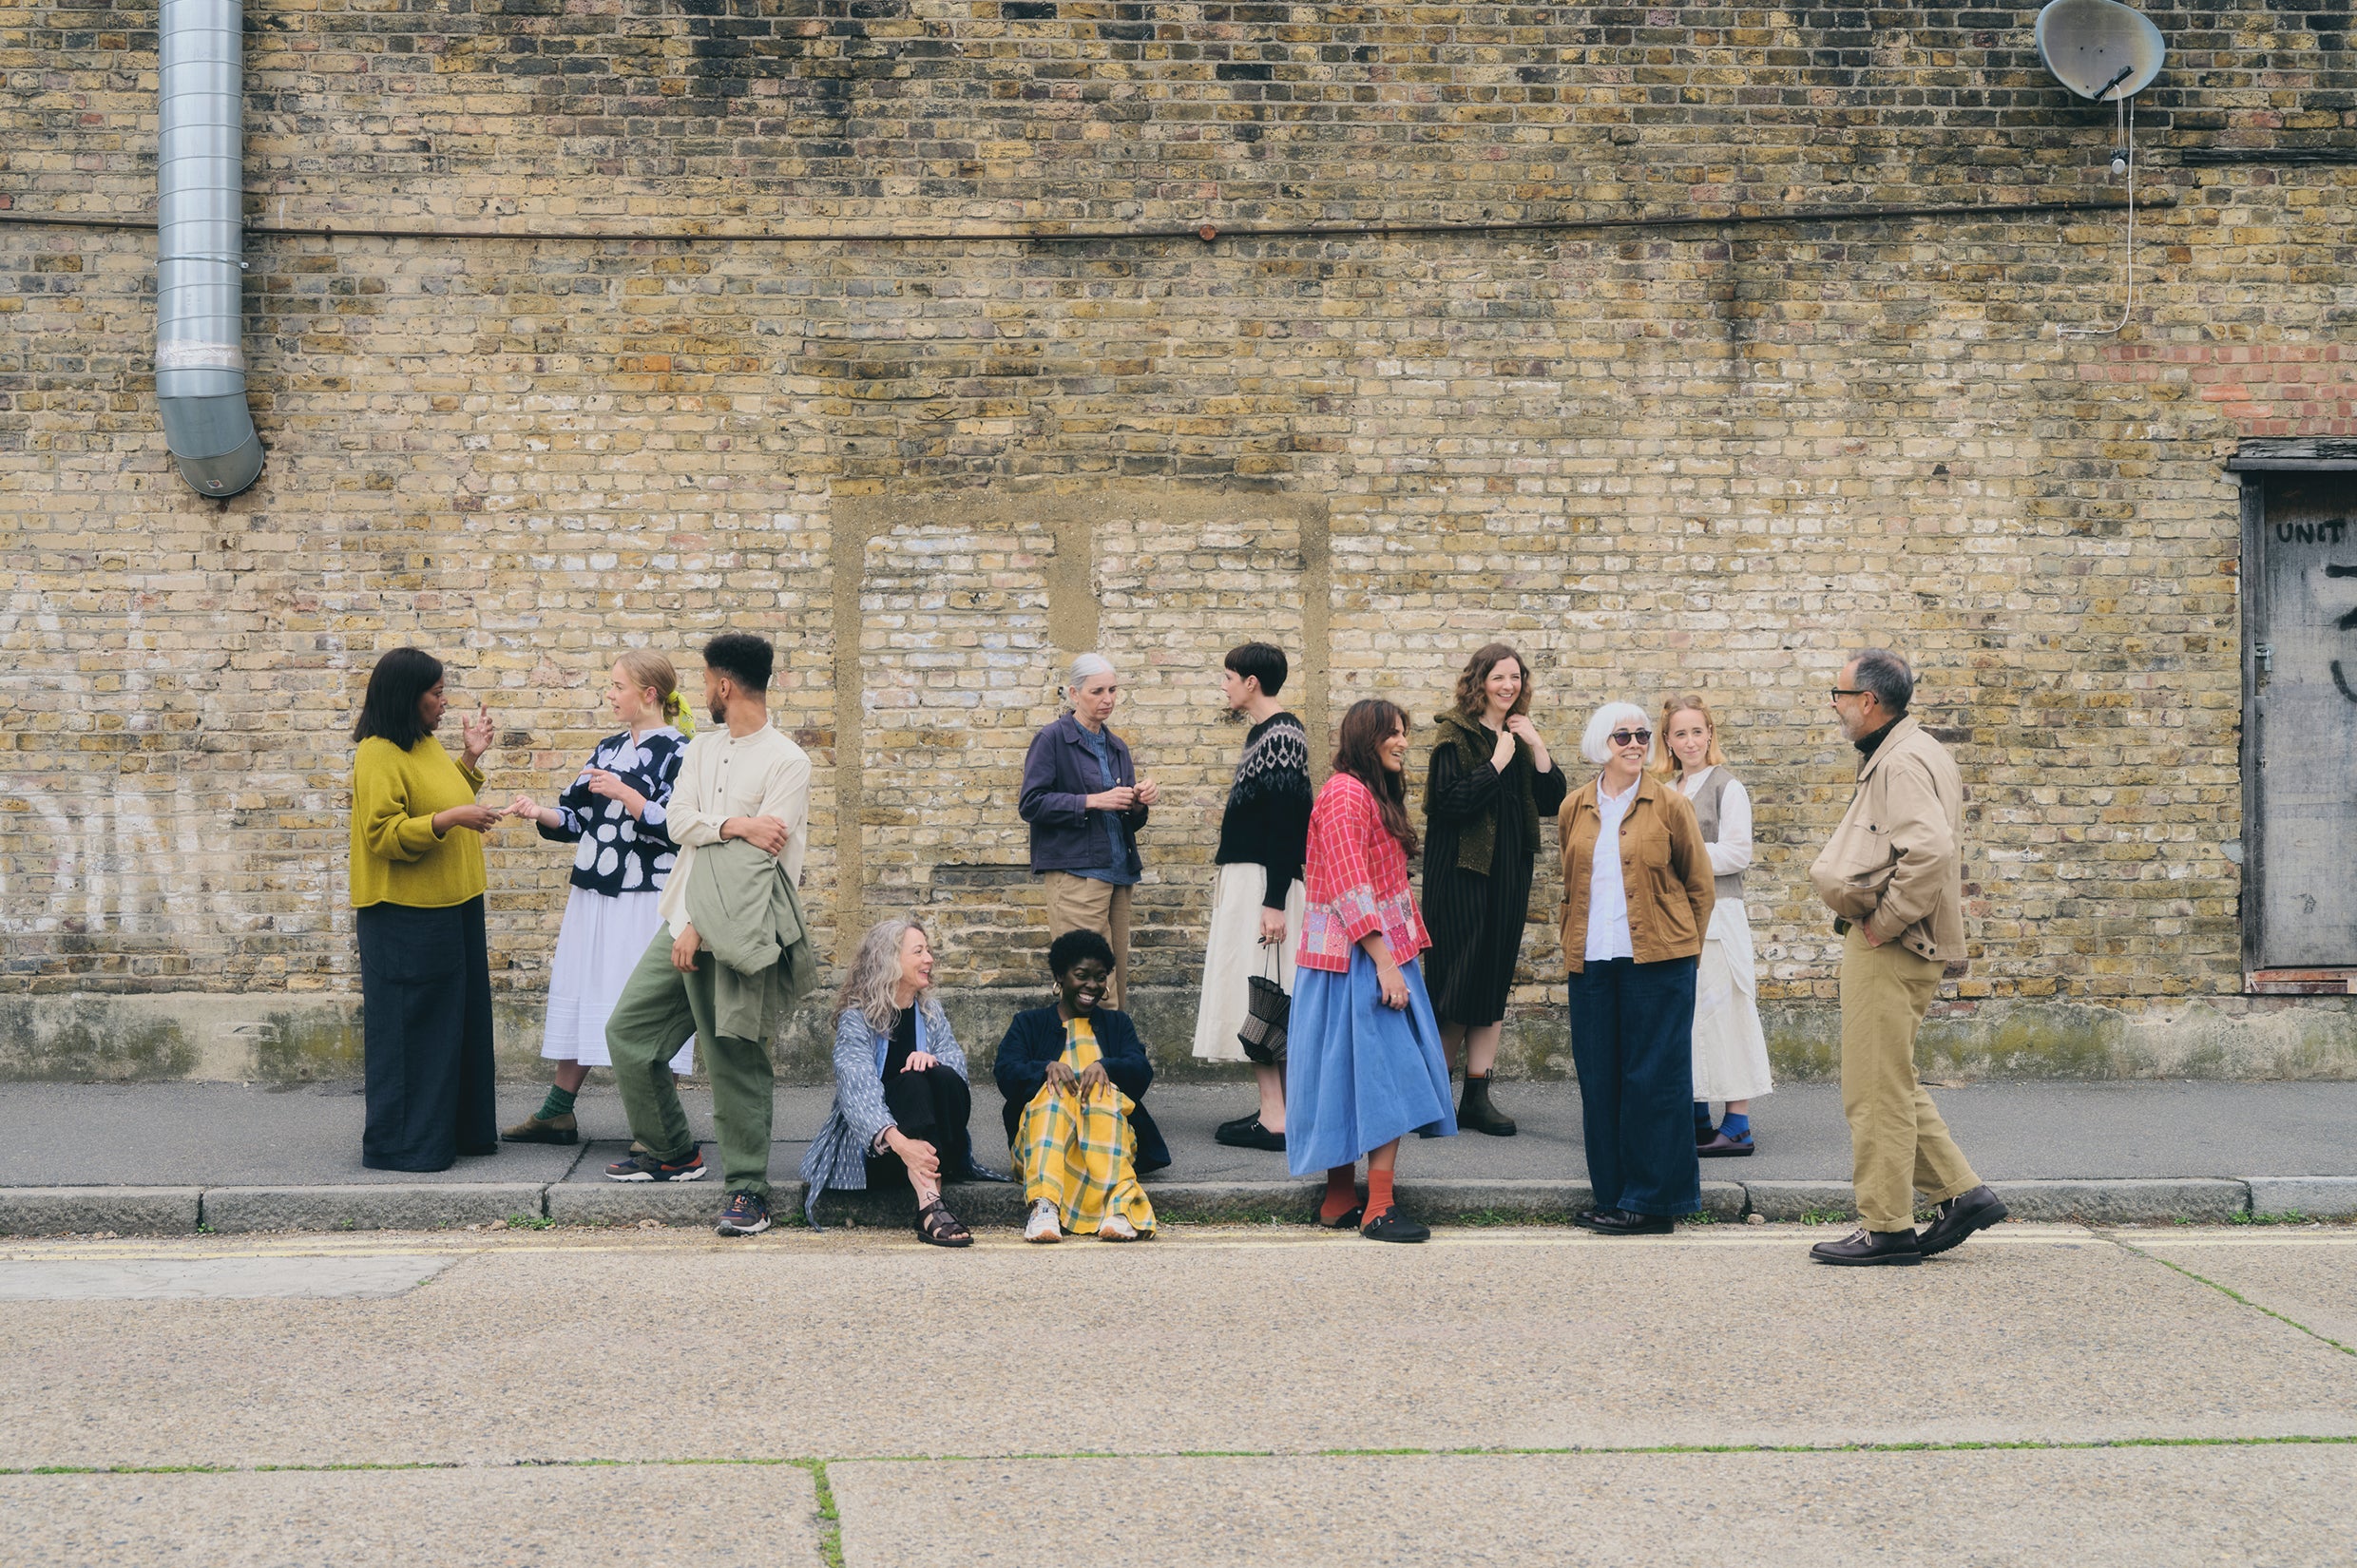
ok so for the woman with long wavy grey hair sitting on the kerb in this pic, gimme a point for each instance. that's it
(902, 1093)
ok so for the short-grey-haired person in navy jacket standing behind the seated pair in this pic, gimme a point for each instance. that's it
(1085, 808)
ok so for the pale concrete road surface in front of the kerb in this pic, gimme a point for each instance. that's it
(1253, 1395)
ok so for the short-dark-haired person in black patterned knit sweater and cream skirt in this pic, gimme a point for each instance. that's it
(1257, 900)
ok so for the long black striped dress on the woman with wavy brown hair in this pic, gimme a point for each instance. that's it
(1477, 921)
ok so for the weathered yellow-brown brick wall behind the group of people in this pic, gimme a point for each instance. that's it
(1698, 456)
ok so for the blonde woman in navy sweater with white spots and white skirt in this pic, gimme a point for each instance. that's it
(616, 817)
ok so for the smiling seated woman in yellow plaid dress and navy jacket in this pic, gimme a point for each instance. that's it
(1074, 1076)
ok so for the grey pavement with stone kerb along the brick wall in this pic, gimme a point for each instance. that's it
(161, 1159)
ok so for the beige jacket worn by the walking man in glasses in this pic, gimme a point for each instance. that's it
(1896, 862)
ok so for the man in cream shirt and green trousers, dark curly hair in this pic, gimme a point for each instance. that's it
(737, 782)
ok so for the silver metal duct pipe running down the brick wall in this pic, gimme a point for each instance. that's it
(199, 246)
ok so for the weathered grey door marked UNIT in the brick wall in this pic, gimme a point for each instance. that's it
(2304, 723)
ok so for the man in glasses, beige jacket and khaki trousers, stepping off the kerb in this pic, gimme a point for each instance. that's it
(1894, 878)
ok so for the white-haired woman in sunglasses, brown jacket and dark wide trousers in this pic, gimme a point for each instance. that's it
(1637, 900)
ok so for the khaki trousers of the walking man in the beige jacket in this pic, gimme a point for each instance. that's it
(1899, 1142)
